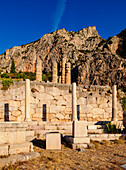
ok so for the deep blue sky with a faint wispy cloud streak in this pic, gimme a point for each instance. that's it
(24, 21)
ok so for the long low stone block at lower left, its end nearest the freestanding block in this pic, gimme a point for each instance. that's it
(20, 148)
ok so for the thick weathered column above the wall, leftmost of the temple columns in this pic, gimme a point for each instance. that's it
(39, 70)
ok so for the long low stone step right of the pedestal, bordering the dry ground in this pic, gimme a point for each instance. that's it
(101, 137)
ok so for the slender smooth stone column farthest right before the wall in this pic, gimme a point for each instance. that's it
(114, 103)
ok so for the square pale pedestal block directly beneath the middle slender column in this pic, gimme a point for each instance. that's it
(79, 129)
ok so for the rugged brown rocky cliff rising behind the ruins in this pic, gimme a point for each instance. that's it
(94, 60)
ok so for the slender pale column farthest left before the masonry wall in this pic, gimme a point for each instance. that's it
(27, 100)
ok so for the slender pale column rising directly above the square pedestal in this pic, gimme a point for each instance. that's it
(74, 106)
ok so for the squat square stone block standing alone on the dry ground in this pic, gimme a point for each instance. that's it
(53, 141)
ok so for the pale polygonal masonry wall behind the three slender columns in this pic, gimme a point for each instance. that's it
(53, 102)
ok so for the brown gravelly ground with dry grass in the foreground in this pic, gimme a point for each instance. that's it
(106, 155)
